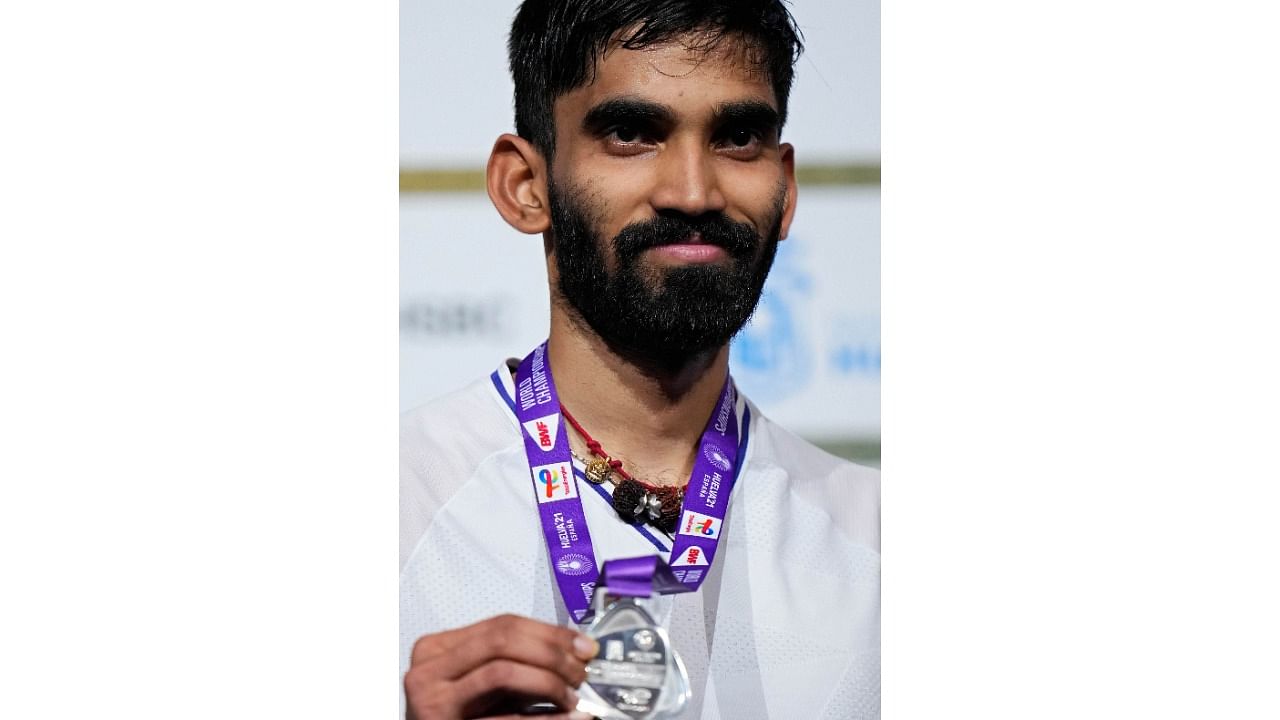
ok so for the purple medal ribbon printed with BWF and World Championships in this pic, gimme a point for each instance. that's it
(551, 467)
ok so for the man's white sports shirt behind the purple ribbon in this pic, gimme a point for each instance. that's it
(787, 625)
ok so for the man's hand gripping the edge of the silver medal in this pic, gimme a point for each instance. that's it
(497, 667)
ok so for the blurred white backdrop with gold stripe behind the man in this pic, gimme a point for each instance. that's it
(474, 291)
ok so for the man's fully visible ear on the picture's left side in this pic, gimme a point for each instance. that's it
(516, 179)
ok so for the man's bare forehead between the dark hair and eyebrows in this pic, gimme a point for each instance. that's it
(679, 72)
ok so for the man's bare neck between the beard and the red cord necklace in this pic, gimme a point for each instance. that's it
(650, 417)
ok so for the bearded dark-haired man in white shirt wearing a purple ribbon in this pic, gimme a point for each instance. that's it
(648, 157)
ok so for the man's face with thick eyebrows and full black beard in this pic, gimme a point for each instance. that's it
(669, 195)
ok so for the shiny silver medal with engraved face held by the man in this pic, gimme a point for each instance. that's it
(637, 676)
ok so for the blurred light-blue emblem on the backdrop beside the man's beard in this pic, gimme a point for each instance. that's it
(772, 358)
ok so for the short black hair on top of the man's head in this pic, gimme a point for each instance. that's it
(555, 45)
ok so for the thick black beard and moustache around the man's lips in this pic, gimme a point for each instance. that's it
(659, 316)
